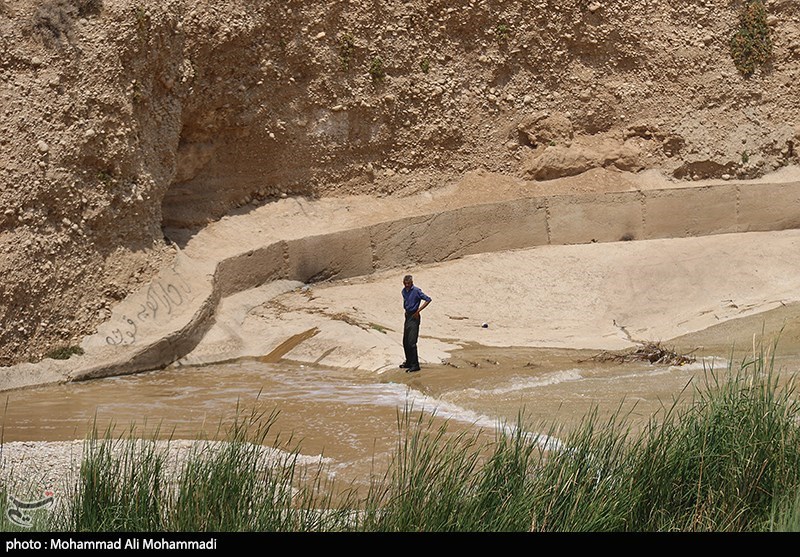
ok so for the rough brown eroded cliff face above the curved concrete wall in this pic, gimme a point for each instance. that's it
(121, 118)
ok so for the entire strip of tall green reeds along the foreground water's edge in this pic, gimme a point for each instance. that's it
(725, 458)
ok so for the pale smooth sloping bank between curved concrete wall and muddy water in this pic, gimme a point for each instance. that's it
(701, 294)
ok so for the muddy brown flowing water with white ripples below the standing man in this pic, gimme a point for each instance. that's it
(350, 417)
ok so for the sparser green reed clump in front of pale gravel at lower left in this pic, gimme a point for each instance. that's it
(241, 483)
